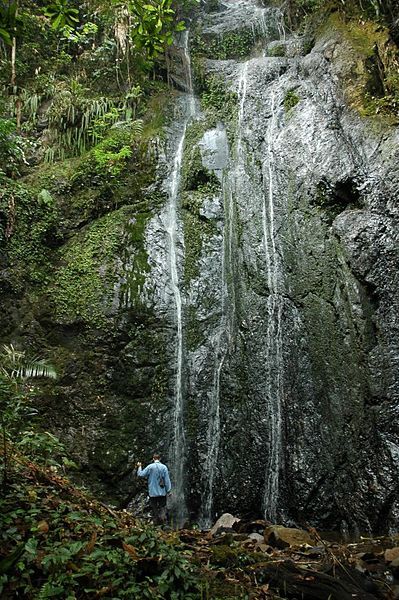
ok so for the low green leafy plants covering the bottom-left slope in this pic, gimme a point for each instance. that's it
(58, 542)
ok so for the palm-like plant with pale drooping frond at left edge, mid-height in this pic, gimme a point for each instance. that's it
(15, 369)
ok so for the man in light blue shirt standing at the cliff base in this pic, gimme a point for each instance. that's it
(158, 487)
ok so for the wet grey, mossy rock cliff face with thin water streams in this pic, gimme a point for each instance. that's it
(248, 322)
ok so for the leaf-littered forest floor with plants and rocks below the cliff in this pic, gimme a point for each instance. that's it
(58, 541)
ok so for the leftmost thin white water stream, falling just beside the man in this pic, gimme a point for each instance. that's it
(171, 226)
